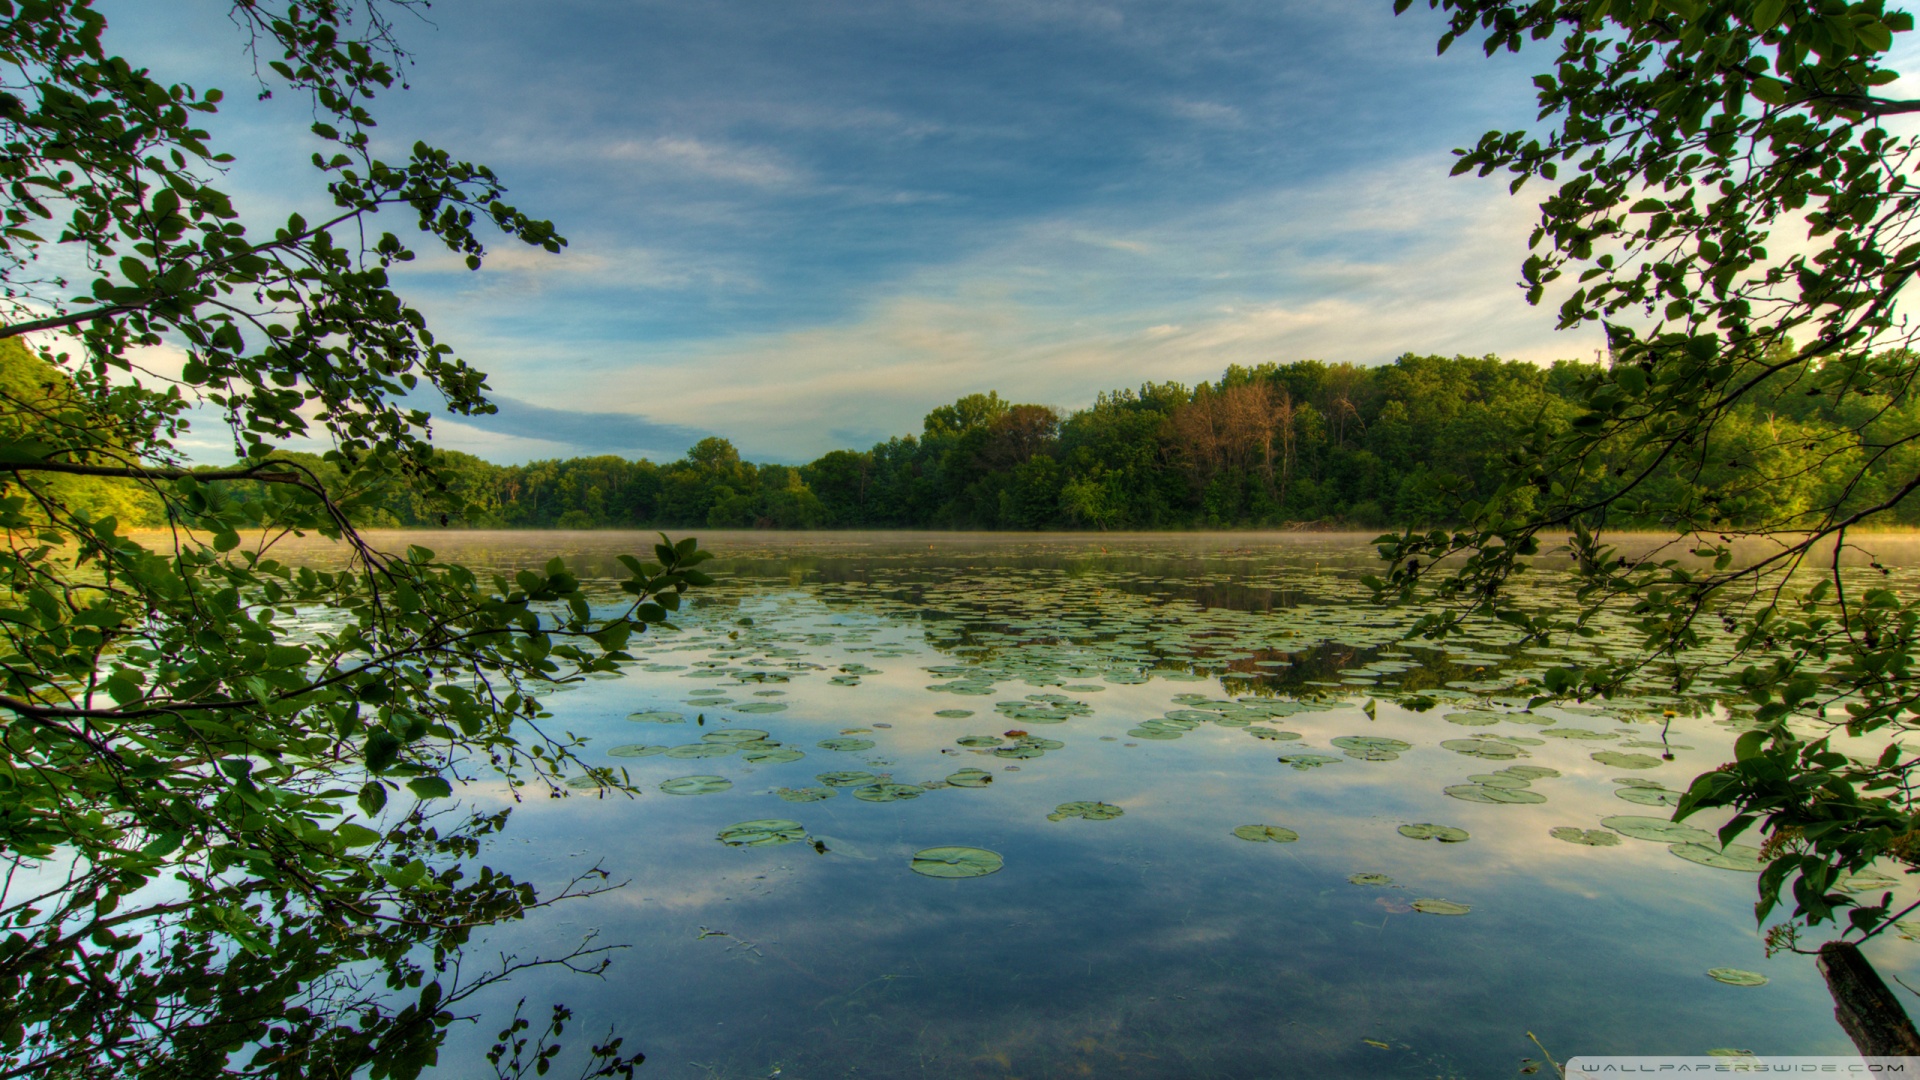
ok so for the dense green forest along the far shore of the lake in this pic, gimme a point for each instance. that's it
(1276, 447)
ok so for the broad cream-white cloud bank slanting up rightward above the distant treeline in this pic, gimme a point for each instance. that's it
(1358, 270)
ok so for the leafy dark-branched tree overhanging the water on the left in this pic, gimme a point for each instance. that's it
(222, 837)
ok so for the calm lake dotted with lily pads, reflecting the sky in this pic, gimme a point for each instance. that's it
(1128, 806)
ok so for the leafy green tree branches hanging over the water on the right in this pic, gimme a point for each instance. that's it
(1691, 145)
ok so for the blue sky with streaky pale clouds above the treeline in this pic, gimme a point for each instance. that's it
(804, 226)
